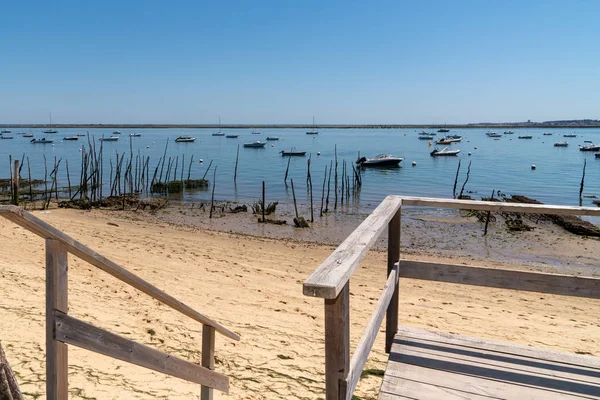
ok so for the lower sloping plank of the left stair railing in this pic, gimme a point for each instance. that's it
(81, 334)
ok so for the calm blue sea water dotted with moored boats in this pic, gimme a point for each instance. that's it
(503, 164)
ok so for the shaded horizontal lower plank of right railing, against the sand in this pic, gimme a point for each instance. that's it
(565, 285)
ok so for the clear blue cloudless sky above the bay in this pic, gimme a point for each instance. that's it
(284, 61)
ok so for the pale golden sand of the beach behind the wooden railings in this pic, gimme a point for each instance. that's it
(253, 286)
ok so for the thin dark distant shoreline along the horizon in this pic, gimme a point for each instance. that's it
(594, 124)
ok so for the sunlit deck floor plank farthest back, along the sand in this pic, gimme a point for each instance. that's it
(500, 347)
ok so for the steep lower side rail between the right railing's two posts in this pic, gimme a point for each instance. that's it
(361, 353)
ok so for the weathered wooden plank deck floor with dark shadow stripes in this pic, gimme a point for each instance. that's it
(426, 365)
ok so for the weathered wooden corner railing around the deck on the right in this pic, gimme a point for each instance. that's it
(331, 281)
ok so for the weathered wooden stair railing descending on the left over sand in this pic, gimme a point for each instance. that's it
(63, 330)
